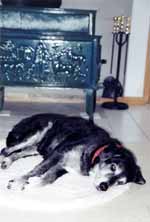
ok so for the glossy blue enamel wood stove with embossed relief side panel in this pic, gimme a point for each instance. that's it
(46, 47)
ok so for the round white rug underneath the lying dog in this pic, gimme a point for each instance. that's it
(69, 192)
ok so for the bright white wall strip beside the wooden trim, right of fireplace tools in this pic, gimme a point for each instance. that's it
(138, 48)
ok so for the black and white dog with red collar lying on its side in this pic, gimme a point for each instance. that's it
(65, 143)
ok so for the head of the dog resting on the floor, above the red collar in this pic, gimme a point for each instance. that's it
(115, 165)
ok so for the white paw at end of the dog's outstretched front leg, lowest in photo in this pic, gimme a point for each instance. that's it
(18, 184)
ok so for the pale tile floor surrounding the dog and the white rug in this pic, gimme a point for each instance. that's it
(132, 127)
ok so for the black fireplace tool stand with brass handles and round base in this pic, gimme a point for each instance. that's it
(120, 39)
